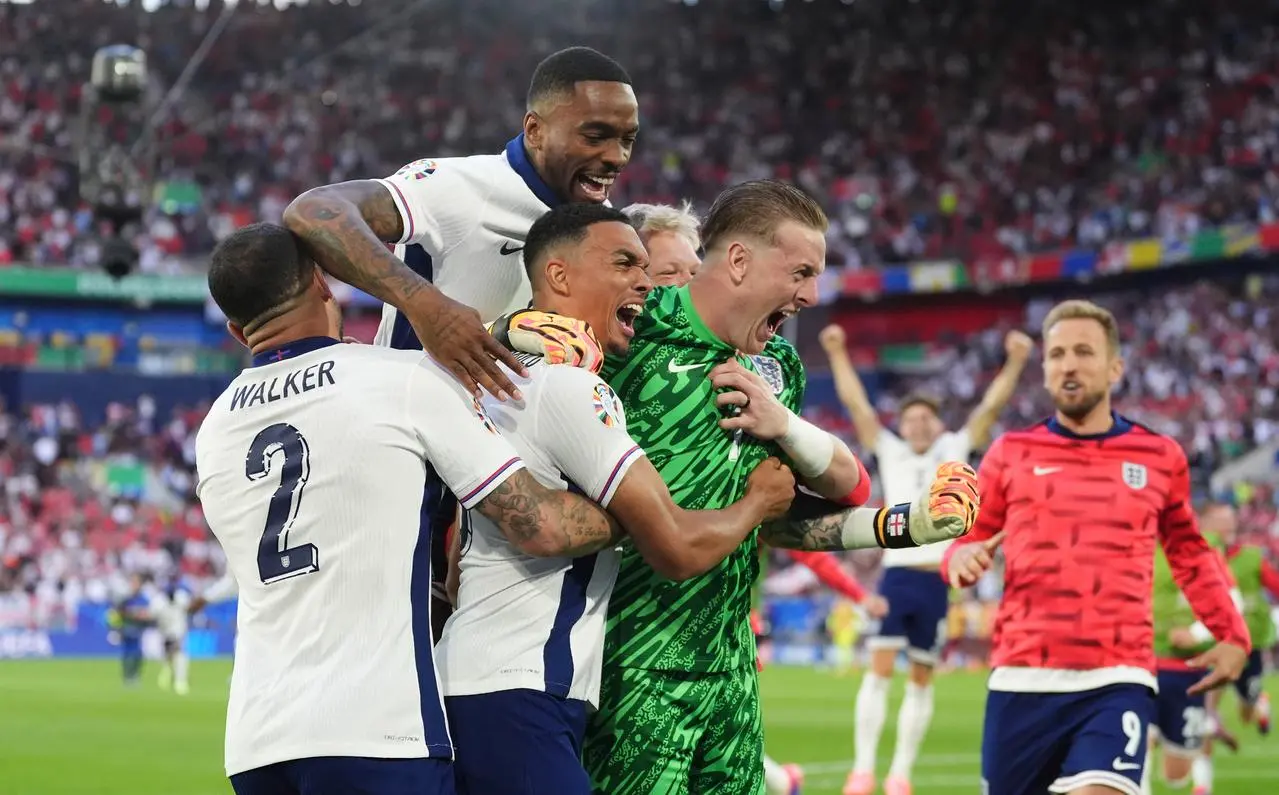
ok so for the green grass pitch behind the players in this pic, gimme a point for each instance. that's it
(68, 728)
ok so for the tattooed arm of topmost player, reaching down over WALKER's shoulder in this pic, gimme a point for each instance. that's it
(346, 229)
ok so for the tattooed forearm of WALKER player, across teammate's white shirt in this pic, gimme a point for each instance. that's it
(547, 523)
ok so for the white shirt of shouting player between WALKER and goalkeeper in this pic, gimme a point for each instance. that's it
(538, 623)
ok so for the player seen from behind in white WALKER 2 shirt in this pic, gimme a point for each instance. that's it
(319, 471)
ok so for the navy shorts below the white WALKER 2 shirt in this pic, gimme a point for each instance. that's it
(349, 776)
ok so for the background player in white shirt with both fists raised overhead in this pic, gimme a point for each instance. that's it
(918, 598)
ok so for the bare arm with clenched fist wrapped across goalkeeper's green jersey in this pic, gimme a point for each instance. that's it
(680, 544)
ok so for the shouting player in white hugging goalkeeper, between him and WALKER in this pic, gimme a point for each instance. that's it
(520, 659)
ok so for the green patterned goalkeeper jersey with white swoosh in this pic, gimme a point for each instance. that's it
(703, 624)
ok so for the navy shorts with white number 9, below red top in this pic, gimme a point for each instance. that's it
(1061, 742)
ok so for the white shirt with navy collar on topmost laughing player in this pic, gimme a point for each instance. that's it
(465, 224)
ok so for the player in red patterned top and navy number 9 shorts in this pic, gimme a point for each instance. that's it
(1081, 503)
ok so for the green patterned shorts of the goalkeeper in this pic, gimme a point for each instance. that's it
(670, 733)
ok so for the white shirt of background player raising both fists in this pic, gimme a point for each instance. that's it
(906, 474)
